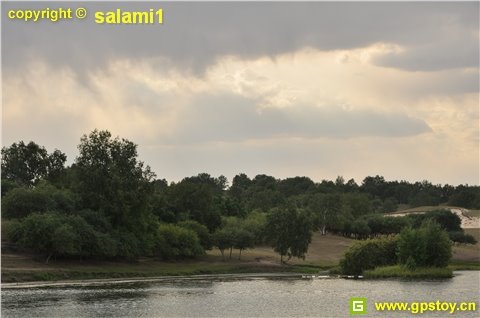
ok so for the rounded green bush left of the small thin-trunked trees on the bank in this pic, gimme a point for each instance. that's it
(175, 242)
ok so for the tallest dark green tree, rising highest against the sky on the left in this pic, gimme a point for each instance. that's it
(111, 179)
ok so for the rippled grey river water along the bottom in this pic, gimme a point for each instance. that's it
(240, 297)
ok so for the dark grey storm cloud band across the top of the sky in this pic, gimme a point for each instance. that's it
(195, 34)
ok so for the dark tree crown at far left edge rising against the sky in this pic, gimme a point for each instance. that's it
(26, 164)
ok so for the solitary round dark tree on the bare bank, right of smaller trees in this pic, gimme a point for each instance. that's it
(289, 231)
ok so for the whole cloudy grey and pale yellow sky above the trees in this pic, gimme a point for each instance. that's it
(317, 89)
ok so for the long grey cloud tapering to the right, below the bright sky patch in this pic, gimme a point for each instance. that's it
(231, 118)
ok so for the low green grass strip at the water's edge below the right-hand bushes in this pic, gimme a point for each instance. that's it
(398, 271)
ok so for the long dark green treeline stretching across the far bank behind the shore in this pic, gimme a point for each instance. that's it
(108, 204)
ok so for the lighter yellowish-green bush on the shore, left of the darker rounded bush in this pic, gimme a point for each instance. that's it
(369, 254)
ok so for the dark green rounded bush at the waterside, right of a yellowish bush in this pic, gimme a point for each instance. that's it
(426, 246)
